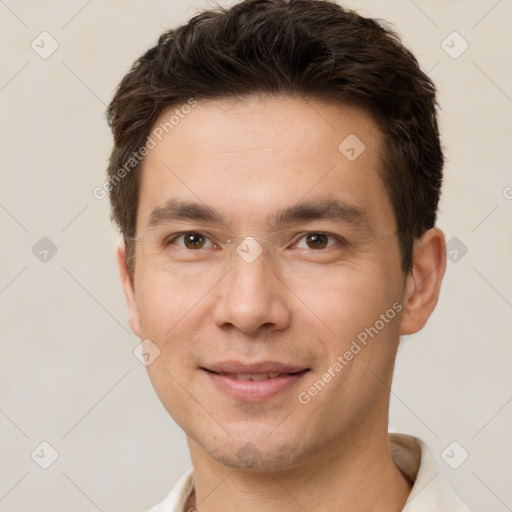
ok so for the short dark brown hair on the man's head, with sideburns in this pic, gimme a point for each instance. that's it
(314, 48)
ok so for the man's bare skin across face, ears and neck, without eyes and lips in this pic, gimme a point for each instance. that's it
(246, 158)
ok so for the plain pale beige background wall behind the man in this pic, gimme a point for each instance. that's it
(68, 373)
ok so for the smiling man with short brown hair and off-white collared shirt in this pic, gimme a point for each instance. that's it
(275, 175)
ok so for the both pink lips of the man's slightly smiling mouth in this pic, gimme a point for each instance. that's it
(253, 390)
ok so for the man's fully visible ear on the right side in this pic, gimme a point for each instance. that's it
(424, 281)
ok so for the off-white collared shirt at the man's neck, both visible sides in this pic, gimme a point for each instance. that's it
(431, 492)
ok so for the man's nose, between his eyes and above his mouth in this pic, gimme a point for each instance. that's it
(251, 296)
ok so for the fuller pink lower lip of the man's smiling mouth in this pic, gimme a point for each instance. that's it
(254, 390)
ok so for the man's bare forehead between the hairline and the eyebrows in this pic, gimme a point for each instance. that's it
(247, 158)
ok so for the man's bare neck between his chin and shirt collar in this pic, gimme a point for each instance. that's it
(357, 475)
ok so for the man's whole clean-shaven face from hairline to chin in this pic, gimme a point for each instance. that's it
(268, 361)
